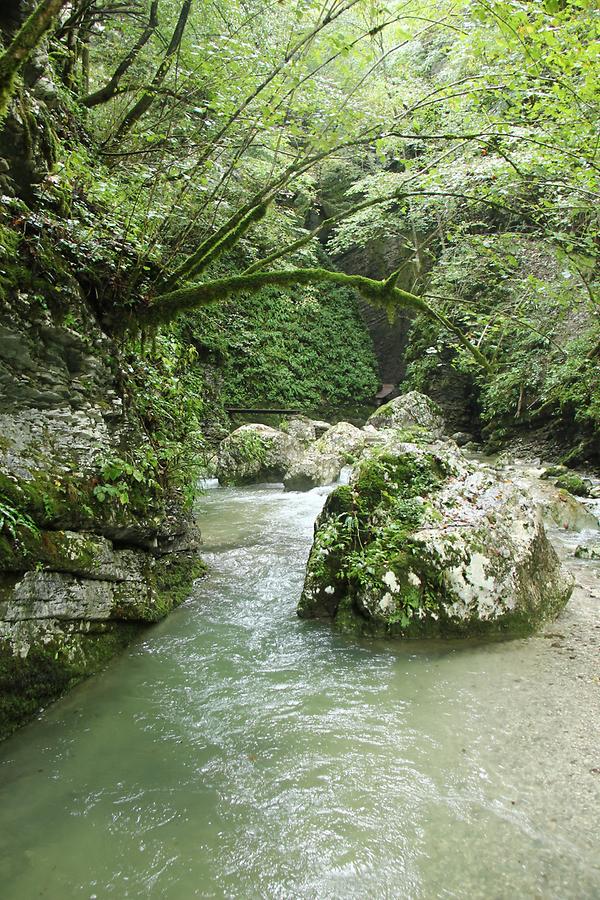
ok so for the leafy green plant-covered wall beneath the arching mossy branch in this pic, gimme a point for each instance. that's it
(301, 348)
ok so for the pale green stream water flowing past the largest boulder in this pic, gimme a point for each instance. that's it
(235, 751)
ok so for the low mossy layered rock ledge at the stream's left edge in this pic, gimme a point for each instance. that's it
(41, 658)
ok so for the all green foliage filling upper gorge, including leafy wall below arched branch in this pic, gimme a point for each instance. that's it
(458, 138)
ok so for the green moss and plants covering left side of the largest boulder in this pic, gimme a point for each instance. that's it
(364, 536)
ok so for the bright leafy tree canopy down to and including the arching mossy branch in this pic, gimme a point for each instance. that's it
(218, 128)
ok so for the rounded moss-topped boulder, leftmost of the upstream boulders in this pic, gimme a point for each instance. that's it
(256, 453)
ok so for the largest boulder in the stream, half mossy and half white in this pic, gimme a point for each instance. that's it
(423, 543)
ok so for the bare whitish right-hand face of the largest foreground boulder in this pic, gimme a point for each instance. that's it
(491, 555)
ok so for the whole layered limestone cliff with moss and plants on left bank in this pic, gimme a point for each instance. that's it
(79, 576)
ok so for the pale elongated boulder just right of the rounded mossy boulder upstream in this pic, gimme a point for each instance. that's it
(323, 460)
